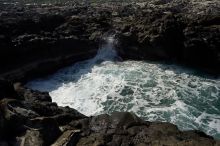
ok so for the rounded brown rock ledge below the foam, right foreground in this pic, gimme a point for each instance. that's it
(127, 129)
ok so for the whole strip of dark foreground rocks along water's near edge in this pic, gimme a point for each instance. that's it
(30, 117)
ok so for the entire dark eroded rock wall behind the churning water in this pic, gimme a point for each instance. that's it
(36, 40)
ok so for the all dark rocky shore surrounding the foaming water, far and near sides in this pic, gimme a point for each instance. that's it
(36, 40)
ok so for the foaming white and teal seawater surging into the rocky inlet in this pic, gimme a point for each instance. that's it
(156, 92)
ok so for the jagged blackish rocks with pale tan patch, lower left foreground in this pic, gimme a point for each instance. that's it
(35, 115)
